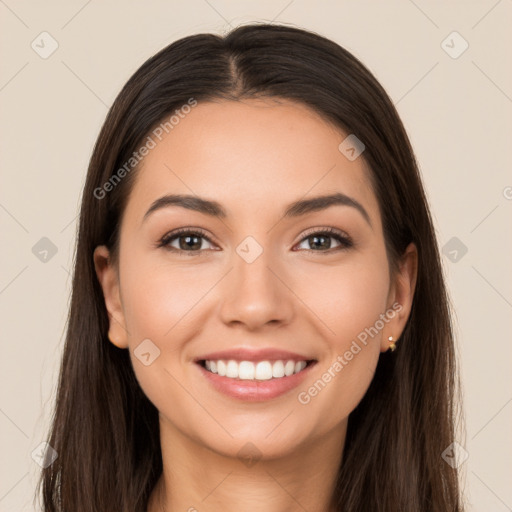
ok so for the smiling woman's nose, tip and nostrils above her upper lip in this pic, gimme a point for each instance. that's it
(256, 294)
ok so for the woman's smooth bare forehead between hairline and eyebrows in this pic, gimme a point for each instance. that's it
(248, 155)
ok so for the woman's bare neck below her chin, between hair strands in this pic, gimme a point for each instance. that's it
(196, 479)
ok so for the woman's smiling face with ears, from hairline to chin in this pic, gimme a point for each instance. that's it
(256, 281)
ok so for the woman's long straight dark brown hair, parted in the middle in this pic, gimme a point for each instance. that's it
(106, 431)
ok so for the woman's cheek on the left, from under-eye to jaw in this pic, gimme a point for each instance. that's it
(158, 303)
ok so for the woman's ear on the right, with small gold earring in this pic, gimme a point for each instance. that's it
(401, 295)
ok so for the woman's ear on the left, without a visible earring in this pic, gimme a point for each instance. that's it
(109, 280)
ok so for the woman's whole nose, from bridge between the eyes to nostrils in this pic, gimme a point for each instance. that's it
(255, 295)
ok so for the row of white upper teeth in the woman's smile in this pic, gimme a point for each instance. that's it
(262, 370)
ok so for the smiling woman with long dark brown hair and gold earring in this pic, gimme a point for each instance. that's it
(259, 319)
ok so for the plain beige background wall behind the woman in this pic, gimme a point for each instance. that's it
(458, 115)
